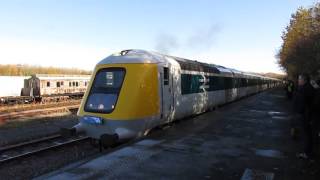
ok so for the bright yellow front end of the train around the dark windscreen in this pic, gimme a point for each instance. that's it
(138, 96)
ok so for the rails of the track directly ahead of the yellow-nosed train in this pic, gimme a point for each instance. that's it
(33, 148)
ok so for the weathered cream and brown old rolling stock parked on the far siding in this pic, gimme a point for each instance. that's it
(48, 87)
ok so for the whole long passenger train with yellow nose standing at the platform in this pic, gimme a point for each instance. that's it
(133, 91)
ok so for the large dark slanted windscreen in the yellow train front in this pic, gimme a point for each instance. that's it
(105, 90)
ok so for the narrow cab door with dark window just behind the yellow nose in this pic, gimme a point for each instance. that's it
(167, 94)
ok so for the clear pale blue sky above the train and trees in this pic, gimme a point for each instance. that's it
(240, 34)
